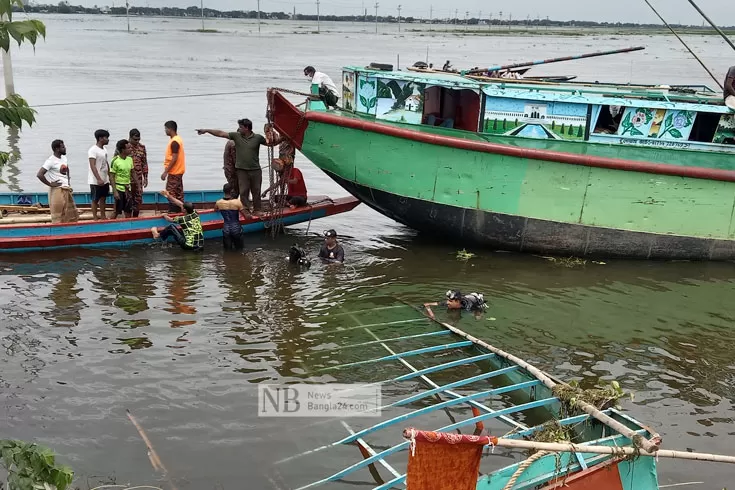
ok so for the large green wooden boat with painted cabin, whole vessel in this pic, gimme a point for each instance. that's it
(574, 169)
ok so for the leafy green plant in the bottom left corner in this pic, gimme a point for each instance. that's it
(33, 467)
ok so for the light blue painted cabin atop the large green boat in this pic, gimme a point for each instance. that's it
(672, 117)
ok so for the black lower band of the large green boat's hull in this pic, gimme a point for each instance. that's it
(522, 234)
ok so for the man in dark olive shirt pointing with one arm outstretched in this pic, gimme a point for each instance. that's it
(247, 160)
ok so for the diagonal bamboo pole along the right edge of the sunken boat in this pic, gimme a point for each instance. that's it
(650, 446)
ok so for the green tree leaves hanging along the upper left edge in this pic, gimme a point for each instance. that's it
(14, 110)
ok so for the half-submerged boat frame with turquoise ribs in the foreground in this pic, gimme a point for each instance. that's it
(471, 393)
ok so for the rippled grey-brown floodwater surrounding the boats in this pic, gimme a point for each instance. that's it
(182, 341)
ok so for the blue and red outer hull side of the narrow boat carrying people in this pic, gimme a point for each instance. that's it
(122, 233)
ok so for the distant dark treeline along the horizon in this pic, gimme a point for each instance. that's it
(194, 11)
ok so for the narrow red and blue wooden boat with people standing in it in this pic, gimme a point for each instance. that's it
(26, 225)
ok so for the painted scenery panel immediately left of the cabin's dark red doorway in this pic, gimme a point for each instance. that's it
(400, 101)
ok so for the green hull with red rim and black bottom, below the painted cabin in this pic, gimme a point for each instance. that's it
(471, 190)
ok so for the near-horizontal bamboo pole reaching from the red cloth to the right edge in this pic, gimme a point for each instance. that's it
(616, 451)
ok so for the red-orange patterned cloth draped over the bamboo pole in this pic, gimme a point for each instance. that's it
(444, 461)
